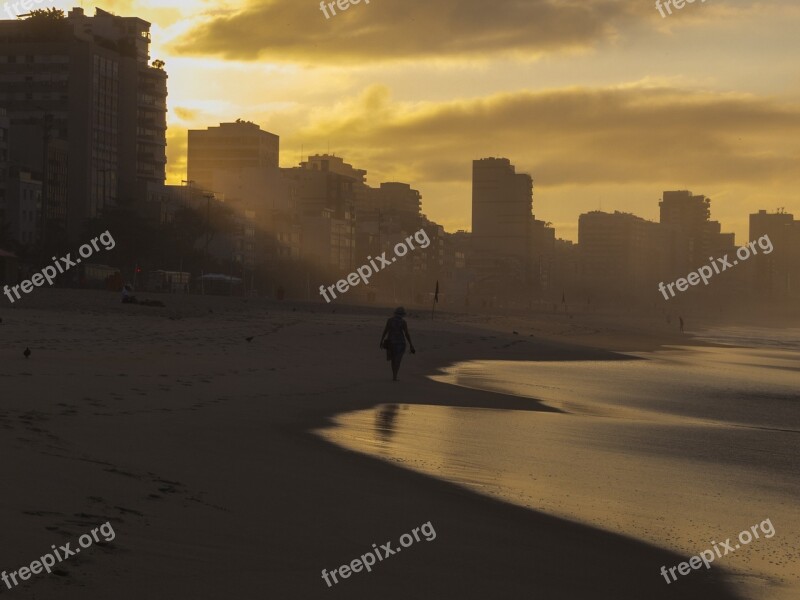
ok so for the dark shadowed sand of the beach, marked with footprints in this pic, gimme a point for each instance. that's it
(202, 449)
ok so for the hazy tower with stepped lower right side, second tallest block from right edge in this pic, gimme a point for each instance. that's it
(693, 235)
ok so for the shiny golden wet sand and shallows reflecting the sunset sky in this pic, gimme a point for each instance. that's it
(685, 448)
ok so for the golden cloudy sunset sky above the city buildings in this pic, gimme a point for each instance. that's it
(604, 102)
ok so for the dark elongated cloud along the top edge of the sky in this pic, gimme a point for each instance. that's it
(298, 31)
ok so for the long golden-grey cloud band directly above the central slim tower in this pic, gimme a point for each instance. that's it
(612, 135)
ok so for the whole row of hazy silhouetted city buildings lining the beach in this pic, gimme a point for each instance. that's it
(323, 211)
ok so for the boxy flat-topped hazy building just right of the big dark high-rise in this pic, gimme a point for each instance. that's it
(229, 148)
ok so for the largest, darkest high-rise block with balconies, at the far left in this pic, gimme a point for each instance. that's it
(85, 81)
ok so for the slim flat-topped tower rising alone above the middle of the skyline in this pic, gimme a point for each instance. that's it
(502, 211)
